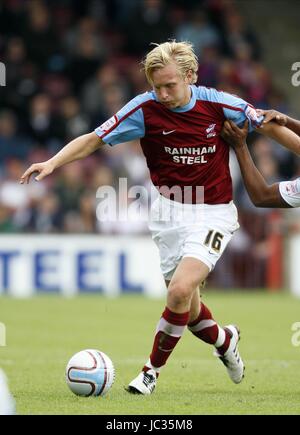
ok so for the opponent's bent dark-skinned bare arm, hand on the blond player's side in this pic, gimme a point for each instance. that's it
(261, 194)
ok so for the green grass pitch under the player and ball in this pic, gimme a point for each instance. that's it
(44, 332)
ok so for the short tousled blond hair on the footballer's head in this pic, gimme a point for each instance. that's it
(180, 53)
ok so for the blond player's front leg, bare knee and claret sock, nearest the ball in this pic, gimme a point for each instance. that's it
(185, 281)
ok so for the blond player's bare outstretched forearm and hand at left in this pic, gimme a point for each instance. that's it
(77, 149)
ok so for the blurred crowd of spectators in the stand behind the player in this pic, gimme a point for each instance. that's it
(70, 65)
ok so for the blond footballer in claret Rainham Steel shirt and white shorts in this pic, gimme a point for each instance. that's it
(179, 126)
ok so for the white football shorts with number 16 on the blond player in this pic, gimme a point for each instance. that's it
(200, 231)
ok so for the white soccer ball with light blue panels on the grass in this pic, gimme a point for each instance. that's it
(90, 373)
